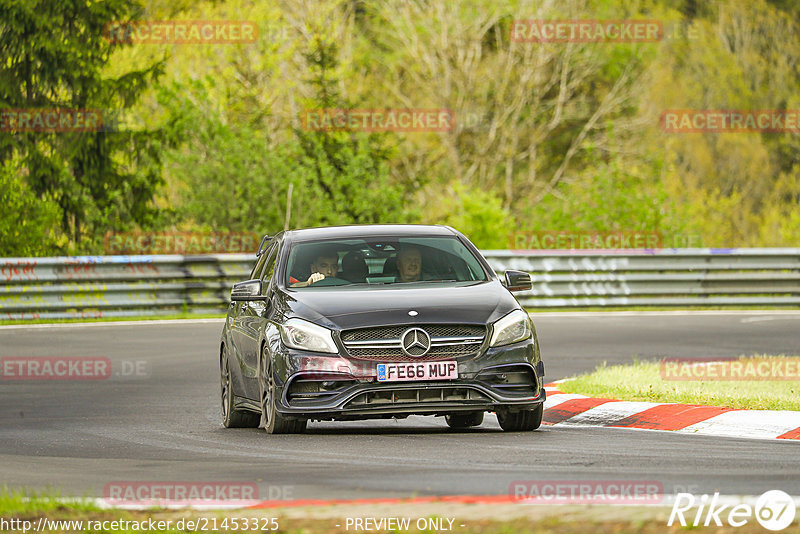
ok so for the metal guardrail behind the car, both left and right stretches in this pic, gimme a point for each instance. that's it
(119, 286)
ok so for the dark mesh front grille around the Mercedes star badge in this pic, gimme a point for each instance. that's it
(384, 343)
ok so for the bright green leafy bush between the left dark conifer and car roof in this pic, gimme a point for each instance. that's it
(228, 177)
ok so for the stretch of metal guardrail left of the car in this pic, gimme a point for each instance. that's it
(118, 286)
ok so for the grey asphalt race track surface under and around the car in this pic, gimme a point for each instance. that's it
(78, 436)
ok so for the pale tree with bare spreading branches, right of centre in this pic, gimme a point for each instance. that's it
(525, 112)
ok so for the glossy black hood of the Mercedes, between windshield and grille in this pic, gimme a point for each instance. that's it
(342, 309)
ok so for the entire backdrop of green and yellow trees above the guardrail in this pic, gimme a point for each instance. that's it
(548, 136)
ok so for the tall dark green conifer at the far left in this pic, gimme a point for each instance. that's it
(53, 55)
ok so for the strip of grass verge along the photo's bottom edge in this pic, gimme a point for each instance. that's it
(600, 519)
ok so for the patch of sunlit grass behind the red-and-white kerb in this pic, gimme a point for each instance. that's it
(643, 381)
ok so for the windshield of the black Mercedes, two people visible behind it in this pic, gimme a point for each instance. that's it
(382, 261)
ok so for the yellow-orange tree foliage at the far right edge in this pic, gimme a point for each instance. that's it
(739, 189)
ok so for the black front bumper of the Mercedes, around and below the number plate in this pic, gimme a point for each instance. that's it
(508, 378)
